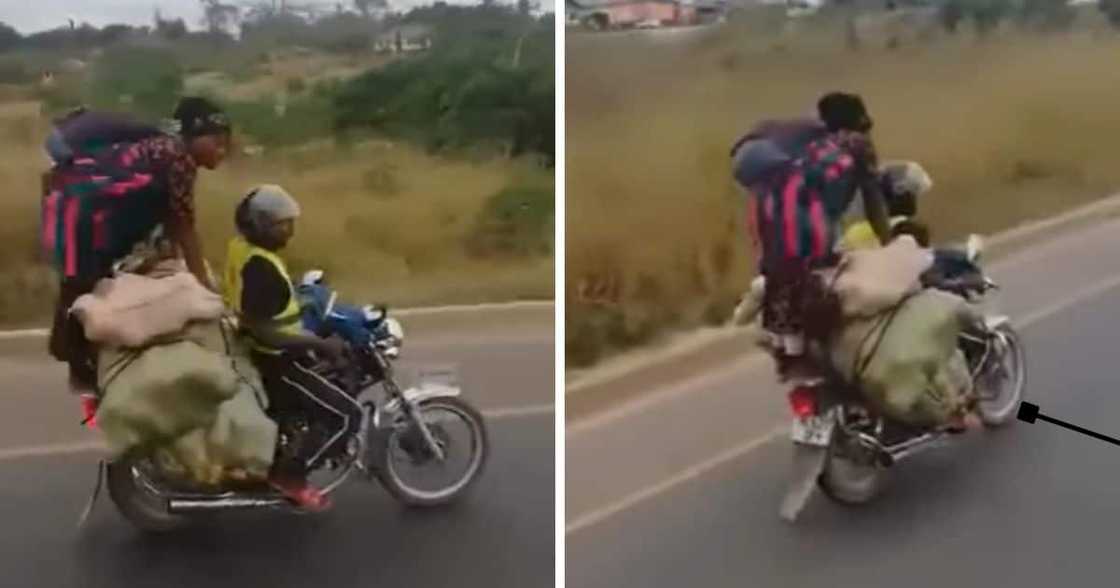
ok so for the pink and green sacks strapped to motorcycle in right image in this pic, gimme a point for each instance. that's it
(898, 342)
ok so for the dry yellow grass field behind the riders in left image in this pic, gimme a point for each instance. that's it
(385, 220)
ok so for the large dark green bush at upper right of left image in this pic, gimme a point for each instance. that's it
(486, 83)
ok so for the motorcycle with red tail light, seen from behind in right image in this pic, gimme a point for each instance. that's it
(845, 451)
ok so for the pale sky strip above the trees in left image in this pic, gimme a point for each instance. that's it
(32, 16)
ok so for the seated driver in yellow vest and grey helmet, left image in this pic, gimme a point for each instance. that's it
(259, 288)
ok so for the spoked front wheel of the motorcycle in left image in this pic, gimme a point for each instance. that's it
(414, 474)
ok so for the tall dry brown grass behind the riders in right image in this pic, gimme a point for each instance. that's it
(1011, 129)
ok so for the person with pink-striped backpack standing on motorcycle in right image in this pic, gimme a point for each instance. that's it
(804, 179)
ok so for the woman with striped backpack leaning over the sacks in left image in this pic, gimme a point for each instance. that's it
(113, 189)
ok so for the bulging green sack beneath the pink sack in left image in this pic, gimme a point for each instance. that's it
(194, 405)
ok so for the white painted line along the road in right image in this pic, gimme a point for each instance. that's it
(696, 471)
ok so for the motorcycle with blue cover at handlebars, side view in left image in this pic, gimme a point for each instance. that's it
(404, 432)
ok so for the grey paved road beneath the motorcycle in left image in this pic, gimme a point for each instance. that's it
(502, 536)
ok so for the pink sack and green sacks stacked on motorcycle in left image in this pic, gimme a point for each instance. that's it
(175, 382)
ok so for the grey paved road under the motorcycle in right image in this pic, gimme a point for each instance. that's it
(683, 489)
